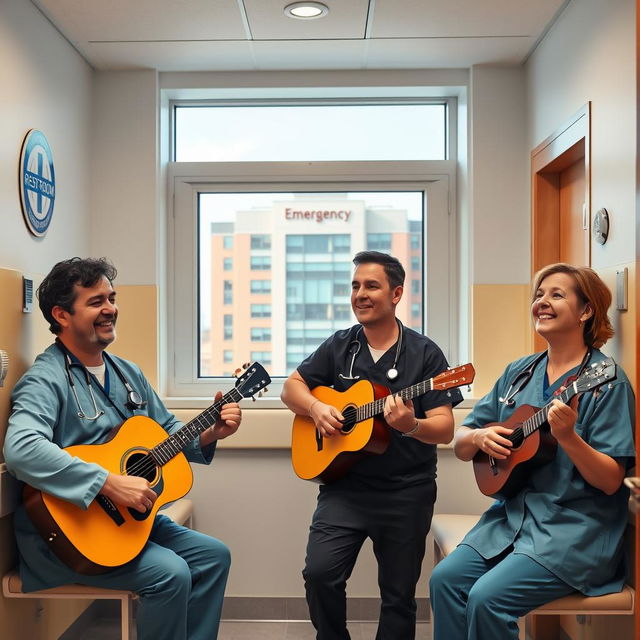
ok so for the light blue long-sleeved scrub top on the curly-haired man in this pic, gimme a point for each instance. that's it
(44, 420)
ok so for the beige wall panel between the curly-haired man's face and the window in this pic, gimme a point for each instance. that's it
(138, 327)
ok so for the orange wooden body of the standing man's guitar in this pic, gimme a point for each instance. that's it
(326, 459)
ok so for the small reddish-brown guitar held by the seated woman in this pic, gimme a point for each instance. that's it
(533, 443)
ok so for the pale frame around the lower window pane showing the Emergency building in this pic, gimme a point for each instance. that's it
(186, 180)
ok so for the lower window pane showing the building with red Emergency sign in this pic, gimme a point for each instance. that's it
(294, 290)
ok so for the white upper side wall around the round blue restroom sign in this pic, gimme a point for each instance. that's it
(46, 86)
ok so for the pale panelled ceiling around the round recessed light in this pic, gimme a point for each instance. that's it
(255, 35)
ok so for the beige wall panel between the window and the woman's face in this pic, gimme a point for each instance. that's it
(501, 330)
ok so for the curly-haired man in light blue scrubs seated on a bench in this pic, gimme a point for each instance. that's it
(75, 393)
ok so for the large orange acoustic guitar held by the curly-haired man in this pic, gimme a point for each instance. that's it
(106, 535)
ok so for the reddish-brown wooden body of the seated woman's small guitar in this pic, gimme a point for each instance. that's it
(506, 477)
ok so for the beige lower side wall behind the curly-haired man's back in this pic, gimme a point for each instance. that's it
(23, 336)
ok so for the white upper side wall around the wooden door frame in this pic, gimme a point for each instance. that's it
(589, 55)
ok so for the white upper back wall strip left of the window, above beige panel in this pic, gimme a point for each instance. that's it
(124, 180)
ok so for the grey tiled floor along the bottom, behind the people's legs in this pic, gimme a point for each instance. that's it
(108, 629)
